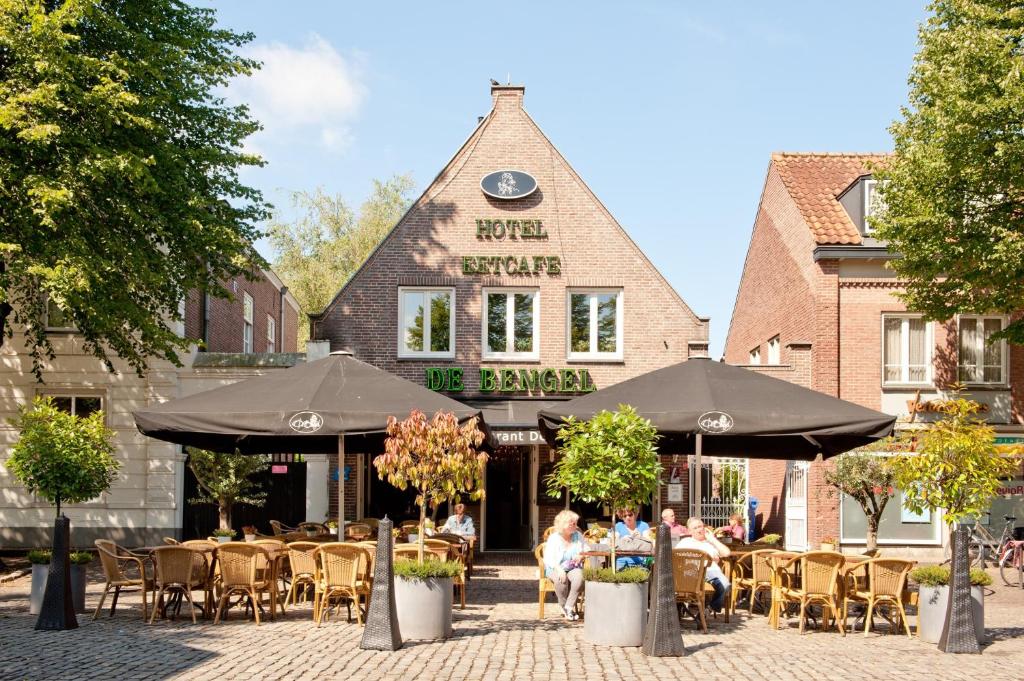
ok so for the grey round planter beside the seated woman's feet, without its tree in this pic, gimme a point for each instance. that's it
(617, 614)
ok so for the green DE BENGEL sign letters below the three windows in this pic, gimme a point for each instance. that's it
(536, 381)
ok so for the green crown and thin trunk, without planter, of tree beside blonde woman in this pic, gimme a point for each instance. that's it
(612, 458)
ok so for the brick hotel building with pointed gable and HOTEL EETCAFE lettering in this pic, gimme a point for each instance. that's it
(507, 304)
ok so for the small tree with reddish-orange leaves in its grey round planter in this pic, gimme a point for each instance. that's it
(439, 459)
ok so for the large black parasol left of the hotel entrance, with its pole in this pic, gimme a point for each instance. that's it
(310, 409)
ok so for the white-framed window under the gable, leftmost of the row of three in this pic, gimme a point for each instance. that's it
(426, 323)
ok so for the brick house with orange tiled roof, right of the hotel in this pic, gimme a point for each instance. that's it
(817, 305)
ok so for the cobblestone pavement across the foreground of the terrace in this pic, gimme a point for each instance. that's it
(497, 637)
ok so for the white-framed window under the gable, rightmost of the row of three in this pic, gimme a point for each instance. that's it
(594, 324)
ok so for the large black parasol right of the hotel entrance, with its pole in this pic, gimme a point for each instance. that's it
(712, 408)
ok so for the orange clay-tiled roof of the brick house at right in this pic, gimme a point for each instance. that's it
(816, 182)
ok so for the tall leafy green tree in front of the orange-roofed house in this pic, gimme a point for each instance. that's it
(954, 191)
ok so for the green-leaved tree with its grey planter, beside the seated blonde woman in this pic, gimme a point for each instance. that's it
(612, 458)
